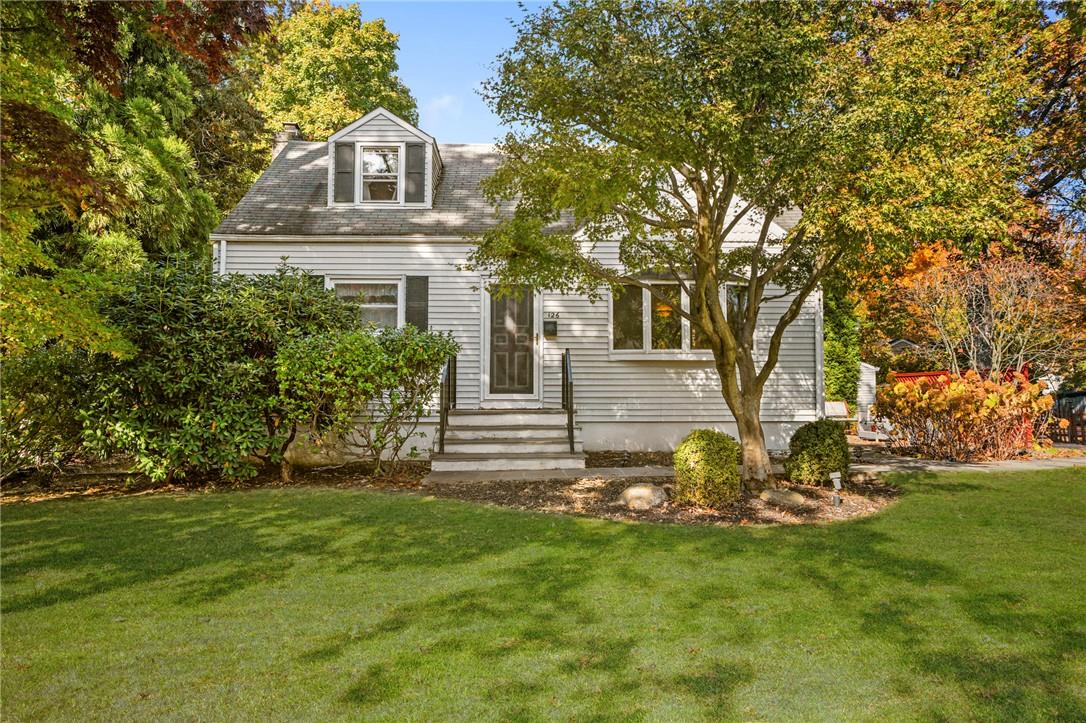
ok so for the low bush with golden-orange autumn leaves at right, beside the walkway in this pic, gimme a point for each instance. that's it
(966, 417)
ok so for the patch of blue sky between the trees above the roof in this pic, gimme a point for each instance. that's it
(447, 49)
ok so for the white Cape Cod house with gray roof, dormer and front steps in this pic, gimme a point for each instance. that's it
(388, 223)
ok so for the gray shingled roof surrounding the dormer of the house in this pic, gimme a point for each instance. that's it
(292, 199)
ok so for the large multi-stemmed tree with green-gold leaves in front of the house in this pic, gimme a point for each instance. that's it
(674, 128)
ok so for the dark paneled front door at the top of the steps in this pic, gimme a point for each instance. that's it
(512, 341)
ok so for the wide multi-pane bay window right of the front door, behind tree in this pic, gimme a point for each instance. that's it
(652, 325)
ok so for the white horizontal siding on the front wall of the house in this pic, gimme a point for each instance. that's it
(608, 389)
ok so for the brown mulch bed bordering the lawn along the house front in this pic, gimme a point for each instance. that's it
(591, 497)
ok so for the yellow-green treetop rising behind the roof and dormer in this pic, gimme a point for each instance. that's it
(329, 68)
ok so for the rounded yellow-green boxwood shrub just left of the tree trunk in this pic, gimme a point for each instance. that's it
(708, 470)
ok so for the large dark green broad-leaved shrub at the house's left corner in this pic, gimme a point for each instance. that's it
(200, 394)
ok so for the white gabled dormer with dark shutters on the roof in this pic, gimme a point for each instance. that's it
(381, 161)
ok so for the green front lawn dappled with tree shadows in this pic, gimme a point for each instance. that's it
(966, 600)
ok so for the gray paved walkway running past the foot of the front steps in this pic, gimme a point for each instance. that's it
(860, 471)
